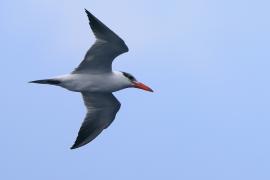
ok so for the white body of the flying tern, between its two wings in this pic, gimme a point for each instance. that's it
(109, 82)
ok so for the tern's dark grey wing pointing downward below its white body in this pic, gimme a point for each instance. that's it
(101, 111)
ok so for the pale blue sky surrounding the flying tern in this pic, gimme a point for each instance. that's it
(208, 62)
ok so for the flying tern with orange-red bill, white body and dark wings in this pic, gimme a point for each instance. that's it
(96, 81)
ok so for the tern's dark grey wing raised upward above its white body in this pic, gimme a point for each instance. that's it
(108, 46)
